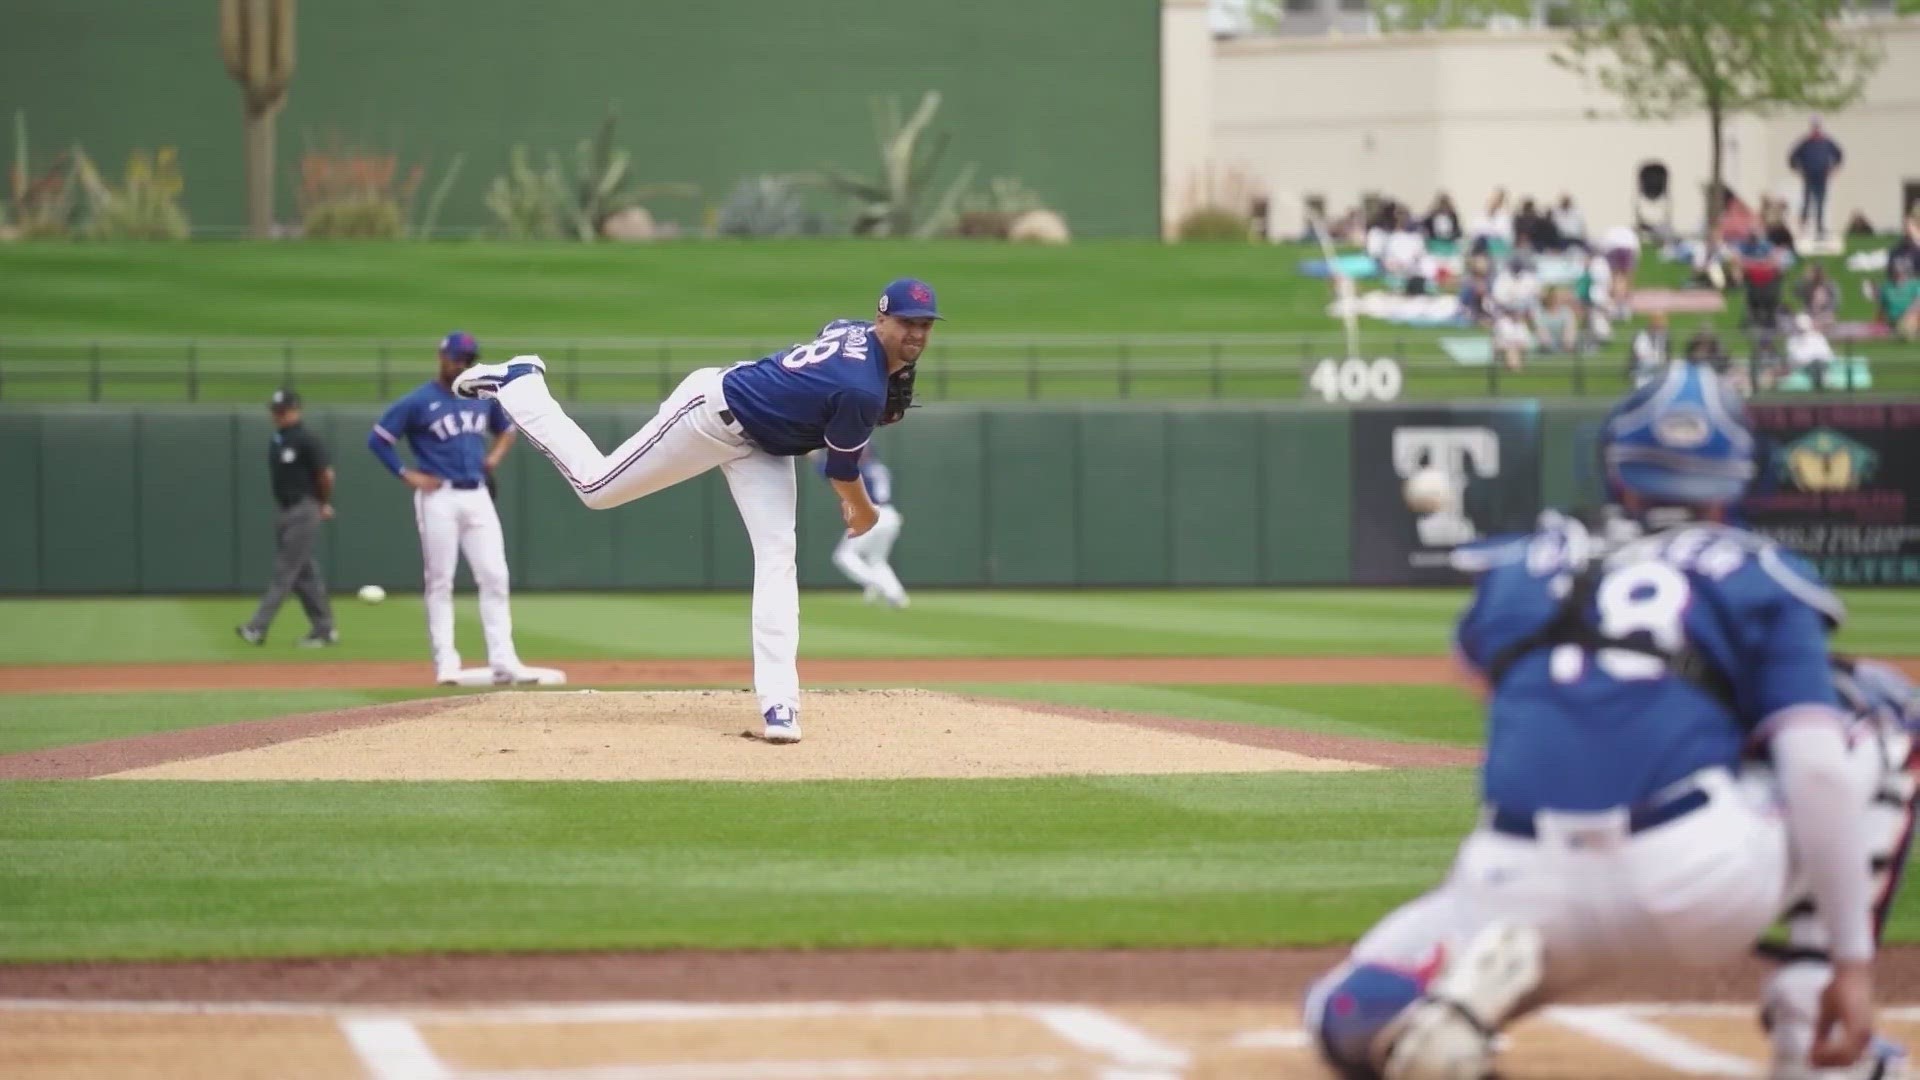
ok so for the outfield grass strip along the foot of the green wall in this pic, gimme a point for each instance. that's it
(942, 624)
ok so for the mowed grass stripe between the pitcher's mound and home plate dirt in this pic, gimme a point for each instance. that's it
(128, 870)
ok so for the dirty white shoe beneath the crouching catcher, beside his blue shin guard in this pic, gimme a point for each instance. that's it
(1451, 1035)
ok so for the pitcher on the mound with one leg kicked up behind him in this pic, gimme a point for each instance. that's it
(750, 422)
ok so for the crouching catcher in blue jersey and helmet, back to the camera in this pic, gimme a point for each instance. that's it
(1627, 683)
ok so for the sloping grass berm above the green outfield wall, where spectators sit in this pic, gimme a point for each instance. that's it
(1011, 308)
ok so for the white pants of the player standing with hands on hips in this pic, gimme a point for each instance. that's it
(454, 522)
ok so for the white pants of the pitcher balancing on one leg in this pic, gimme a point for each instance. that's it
(683, 441)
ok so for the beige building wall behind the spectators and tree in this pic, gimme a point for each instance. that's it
(1474, 110)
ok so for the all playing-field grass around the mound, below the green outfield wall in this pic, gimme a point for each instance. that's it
(153, 870)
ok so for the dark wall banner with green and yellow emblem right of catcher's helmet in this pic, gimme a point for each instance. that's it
(1842, 487)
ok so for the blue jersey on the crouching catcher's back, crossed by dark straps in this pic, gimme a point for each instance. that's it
(1583, 731)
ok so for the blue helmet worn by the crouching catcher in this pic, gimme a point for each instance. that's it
(1681, 439)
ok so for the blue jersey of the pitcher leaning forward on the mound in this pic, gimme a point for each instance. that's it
(827, 393)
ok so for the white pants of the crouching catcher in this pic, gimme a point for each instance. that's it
(1692, 893)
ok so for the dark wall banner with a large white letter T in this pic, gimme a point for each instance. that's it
(1489, 454)
